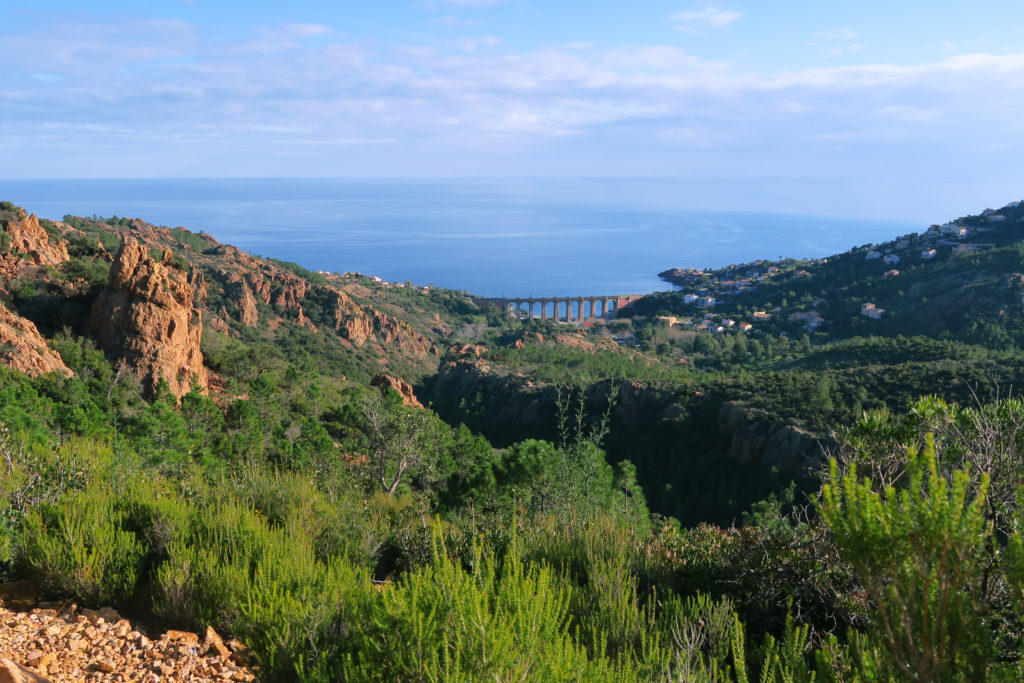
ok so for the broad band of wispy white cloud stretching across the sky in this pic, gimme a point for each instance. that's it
(186, 94)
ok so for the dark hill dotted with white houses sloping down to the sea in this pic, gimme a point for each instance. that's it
(963, 280)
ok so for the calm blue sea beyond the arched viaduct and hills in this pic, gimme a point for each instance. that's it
(491, 238)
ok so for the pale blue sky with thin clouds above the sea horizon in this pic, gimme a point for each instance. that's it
(872, 108)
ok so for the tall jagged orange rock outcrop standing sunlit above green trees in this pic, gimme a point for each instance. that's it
(147, 318)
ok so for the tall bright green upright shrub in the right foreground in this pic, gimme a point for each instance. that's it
(921, 556)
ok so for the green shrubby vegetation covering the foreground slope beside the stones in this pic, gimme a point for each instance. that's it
(540, 561)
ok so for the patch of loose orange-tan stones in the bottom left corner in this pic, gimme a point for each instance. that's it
(59, 643)
